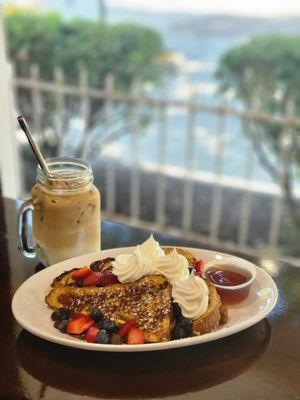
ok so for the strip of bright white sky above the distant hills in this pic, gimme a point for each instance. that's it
(246, 7)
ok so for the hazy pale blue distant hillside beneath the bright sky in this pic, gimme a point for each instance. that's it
(205, 25)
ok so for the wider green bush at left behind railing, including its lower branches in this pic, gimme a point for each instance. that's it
(126, 51)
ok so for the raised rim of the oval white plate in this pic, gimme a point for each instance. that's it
(172, 344)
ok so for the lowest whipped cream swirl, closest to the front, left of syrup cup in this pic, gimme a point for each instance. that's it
(192, 295)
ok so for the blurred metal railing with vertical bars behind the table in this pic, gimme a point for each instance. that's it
(109, 96)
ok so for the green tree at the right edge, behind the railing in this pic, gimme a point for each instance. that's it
(263, 74)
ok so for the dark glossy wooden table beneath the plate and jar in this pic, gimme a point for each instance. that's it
(262, 362)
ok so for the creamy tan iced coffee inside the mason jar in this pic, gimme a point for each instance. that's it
(65, 224)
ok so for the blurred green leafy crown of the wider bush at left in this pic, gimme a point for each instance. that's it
(126, 51)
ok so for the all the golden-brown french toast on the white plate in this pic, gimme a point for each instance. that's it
(147, 300)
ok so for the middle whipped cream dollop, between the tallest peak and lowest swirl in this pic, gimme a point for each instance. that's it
(173, 266)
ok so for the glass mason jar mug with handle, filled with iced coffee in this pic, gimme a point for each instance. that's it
(65, 210)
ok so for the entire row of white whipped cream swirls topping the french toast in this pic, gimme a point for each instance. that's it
(188, 290)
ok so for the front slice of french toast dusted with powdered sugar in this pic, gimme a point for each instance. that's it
(148, 301)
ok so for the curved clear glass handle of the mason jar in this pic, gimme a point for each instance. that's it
(25, 249)
